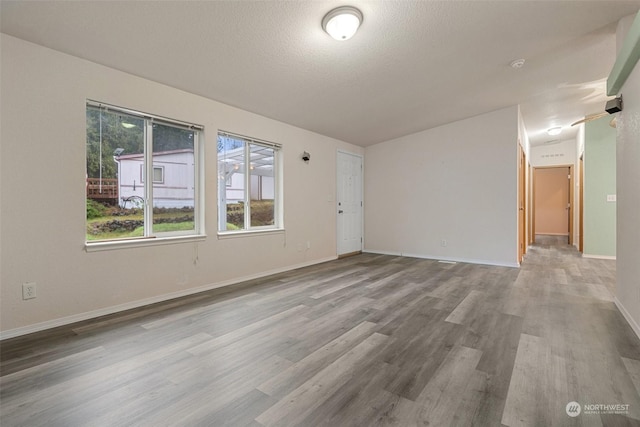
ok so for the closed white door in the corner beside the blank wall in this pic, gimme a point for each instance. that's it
(349, 203)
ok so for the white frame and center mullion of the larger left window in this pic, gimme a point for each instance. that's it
(160, 238)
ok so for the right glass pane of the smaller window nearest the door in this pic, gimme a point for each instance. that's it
(262, 186)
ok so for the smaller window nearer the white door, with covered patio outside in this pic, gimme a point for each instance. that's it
(248, 184)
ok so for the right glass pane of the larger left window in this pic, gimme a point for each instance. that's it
(173, 179)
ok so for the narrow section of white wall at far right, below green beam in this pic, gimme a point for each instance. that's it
(628, 200)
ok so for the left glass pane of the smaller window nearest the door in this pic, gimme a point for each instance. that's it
(231, 186)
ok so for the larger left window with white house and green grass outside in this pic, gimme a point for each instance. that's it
(123, 147)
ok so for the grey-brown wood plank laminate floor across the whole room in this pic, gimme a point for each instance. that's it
(363, 341)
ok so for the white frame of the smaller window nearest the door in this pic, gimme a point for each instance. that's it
(278, 204)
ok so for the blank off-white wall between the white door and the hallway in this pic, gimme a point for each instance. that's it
(456, 182)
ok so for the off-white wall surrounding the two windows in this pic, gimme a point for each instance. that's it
(43, 202)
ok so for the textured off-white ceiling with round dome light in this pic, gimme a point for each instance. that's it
(413, 65)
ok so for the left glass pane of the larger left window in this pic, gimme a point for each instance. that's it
(114, 188)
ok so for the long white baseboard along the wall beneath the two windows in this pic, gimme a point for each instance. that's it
(49, 324)
